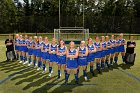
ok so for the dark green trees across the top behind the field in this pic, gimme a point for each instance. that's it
(103, 16)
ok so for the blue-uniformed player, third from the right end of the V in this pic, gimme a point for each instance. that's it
(112, 41)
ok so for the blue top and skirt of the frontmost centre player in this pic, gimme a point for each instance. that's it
(72, 63)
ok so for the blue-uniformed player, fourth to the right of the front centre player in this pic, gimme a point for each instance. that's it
(103, 53)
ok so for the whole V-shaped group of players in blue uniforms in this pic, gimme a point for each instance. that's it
(38, 52)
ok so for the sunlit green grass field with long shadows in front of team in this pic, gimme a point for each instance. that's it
(120, 79)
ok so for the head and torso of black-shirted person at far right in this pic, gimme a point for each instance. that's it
(131, 44)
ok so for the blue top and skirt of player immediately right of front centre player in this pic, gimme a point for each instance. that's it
(82, 60)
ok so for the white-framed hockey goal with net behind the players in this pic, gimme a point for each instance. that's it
(71, 34)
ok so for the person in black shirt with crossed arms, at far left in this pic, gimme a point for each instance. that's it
(10, 48)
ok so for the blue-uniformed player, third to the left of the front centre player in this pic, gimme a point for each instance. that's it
(45, 53)
